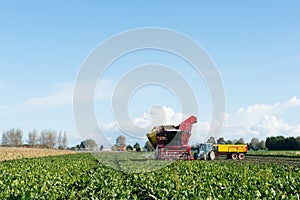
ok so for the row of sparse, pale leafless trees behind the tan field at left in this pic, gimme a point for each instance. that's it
(45, 139)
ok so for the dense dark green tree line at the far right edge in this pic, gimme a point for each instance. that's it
(282, 143)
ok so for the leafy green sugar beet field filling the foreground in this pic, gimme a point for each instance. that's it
(110, 176)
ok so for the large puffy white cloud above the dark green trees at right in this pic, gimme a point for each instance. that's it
(260, 121)
